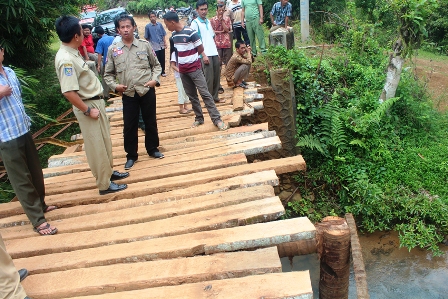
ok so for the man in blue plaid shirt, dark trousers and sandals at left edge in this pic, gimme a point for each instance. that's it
(19, 154)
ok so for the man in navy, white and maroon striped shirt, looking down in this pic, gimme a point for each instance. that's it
(189, 46)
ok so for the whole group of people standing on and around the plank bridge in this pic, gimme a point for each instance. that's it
(133, 68)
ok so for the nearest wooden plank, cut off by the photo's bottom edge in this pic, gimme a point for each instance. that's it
(268, 286)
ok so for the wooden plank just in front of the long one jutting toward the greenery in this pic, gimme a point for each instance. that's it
(260, 180)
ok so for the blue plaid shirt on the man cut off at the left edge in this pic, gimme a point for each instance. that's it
(14, 122)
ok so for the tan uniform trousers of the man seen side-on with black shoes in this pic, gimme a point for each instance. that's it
(97, 143)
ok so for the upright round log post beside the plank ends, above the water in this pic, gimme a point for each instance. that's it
(333, 241)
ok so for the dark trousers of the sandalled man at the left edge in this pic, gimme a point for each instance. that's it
(25, 174)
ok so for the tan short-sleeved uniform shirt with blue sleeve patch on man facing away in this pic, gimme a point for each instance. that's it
(74, 74)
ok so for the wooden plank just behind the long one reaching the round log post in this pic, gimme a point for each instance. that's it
(262, 210)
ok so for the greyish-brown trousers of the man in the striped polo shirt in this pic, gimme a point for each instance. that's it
(194, 80)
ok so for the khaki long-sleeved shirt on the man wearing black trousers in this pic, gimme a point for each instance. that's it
(132, 66)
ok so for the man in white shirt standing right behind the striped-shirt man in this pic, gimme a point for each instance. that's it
(210, 58)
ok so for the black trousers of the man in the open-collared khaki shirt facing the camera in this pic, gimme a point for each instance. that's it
(131, 108)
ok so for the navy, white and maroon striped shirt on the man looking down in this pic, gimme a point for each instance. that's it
(187, 42)
